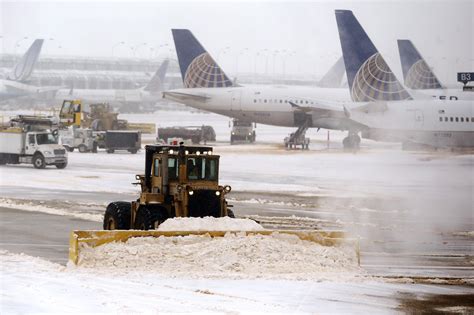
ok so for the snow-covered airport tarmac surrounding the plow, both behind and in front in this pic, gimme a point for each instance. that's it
(403, 204)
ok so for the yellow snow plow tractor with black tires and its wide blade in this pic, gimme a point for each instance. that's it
(179, 182)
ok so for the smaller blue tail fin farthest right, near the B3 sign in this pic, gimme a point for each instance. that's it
(416, 72)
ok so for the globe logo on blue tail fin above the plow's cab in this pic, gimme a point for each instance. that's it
(203, 72)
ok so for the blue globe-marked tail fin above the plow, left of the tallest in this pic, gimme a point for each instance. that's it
(198, 68)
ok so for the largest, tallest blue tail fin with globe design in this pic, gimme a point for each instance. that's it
(369, 76)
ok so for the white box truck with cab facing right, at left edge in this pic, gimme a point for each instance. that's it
(39, 148)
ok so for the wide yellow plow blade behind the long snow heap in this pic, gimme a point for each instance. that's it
(79, 239)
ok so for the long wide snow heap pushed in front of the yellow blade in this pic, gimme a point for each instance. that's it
(276, 256)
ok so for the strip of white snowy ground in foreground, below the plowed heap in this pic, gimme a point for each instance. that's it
(32, 285)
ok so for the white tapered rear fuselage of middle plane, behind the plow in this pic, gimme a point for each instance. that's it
(261, 104)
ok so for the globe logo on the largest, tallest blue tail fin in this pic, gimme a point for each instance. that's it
(376, 82)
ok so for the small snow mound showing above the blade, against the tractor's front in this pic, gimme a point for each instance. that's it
(209, 224)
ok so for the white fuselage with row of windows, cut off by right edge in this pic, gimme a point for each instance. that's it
(434, 123)
